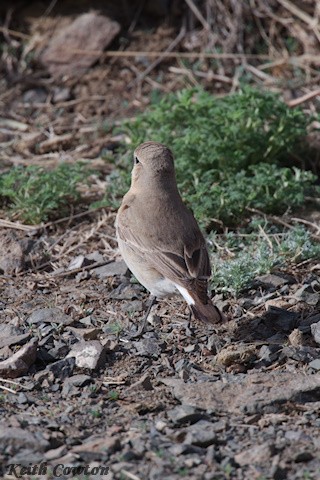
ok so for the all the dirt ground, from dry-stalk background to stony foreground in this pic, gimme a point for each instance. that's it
(182, 400)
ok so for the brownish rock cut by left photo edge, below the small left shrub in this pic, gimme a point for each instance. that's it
(11, 253)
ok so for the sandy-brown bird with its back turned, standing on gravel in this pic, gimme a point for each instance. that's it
(159, 238)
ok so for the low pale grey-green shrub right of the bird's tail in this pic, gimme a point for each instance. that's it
(242, 257)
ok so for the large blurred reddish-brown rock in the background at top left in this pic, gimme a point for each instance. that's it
(89, 31)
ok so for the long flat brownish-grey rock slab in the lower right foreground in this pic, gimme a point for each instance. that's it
(248, 393)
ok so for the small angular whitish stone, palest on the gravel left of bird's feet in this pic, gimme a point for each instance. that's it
(89, 354)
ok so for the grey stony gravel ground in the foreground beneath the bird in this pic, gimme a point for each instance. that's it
(237, 401)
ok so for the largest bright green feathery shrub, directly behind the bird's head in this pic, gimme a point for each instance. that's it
(231, 153)
